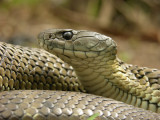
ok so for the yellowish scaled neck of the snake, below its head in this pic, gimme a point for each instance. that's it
(104, 76)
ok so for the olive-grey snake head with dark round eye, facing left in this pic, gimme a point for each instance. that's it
(68, 43)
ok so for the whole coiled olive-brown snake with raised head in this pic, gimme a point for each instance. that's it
(76, 75)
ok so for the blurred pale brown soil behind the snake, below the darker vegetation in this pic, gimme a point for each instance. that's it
(21, 26)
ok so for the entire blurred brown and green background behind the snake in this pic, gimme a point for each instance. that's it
(133, 24)
